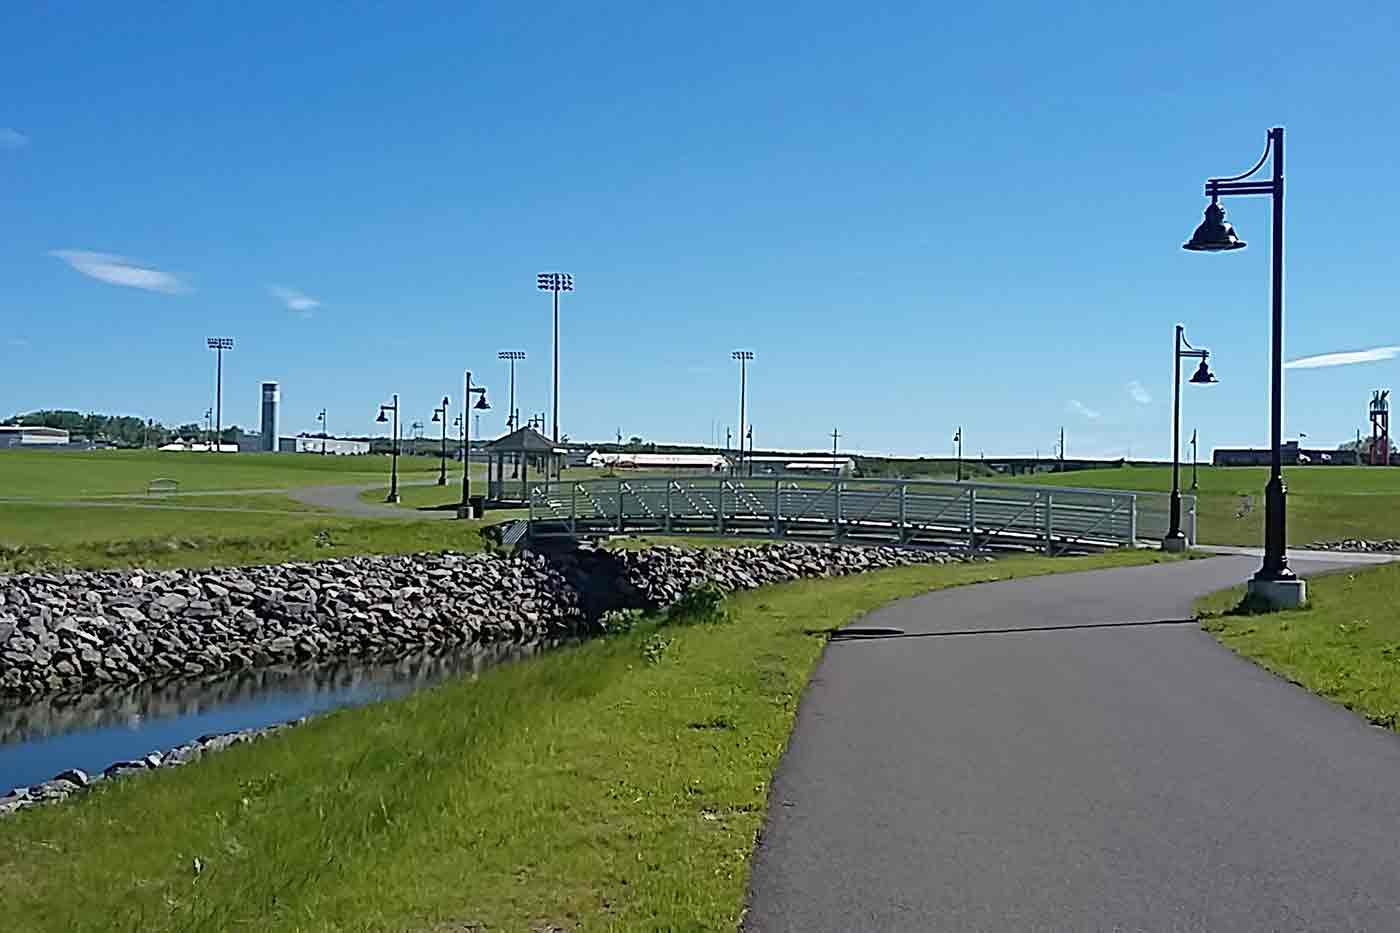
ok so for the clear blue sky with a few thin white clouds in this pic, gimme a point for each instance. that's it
(916, 216)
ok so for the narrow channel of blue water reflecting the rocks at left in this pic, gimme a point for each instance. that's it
(92, 731)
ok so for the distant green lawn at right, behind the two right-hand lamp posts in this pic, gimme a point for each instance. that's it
(1325, 504)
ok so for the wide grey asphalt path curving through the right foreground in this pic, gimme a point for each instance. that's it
(1073, 753)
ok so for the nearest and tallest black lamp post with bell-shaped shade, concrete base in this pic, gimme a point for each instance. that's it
(1275, 583)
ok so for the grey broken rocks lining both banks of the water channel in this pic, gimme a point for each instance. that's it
(83, 633)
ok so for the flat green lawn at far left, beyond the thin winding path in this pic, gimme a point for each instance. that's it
(55, 474)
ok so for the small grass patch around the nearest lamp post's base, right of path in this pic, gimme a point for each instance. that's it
(1345, 647)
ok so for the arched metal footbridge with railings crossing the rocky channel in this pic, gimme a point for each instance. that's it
(964, 516)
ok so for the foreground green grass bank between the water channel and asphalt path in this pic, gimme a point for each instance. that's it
(614, 787)
